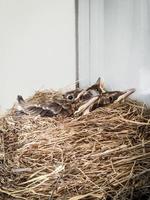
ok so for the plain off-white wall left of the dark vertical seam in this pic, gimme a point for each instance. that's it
(37, 47)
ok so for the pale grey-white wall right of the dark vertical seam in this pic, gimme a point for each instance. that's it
(116, 45)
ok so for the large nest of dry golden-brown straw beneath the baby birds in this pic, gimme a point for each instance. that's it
(103, 155)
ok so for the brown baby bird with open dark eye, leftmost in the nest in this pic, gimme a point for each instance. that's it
(65, 106)
